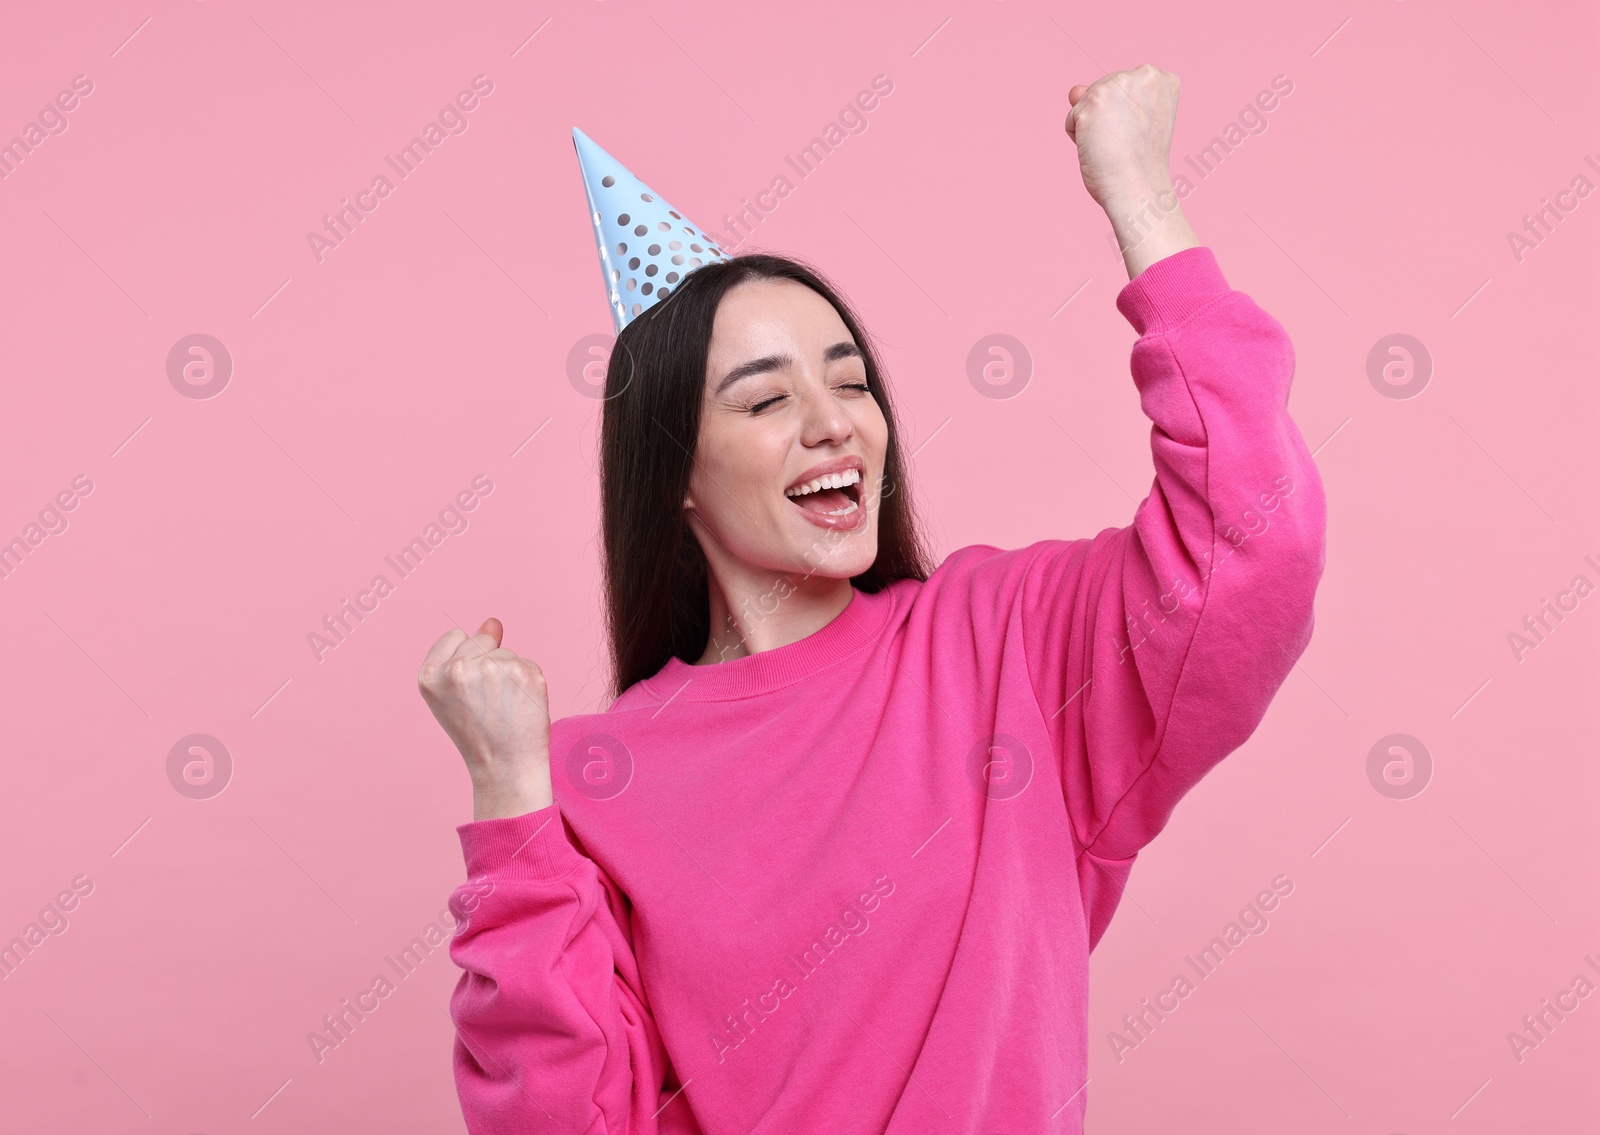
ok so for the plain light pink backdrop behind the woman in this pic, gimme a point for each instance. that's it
(374, 387)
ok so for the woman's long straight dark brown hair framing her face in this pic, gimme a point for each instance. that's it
(655, 571)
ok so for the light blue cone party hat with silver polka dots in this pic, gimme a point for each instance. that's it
(647, 247)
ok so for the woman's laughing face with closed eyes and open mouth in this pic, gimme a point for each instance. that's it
(788, 476)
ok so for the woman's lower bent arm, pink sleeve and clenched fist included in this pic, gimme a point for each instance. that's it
(553, 1027)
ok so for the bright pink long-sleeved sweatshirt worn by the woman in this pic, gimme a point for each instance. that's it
(852, 884)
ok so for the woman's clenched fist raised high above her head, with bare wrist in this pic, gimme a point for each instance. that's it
(1122, 126)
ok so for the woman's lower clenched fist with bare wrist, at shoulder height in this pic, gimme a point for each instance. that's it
(494, 705)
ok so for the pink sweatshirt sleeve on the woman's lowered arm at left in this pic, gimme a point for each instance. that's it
(553, 1027)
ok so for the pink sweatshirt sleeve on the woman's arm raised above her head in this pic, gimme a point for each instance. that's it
(1156, 649)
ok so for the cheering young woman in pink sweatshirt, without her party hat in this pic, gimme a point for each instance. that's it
(838, 854)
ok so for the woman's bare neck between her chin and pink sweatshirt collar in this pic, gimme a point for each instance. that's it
(758, 609)
